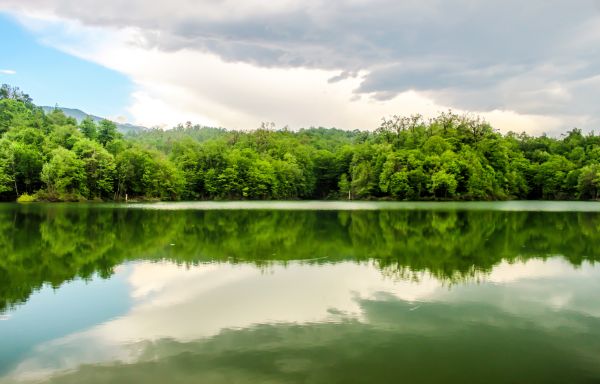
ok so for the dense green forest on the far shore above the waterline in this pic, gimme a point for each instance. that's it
(52, 157)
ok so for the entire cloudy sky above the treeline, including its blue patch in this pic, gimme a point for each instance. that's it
(531, 66)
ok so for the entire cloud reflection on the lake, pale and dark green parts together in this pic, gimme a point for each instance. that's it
(339, 322)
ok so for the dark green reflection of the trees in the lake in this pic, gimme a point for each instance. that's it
(53, 244)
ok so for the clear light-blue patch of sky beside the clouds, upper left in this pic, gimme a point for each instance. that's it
(52, 77)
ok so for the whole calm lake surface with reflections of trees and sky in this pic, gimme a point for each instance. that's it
(302, 292)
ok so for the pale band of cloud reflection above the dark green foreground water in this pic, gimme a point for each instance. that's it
(185, 304)
